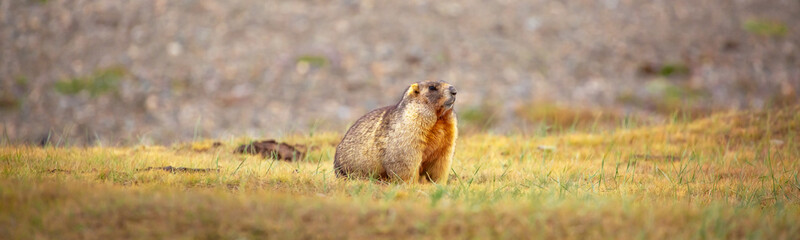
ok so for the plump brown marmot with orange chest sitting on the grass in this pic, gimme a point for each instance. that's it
(411, 141)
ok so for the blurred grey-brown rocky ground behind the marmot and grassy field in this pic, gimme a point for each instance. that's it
(163, 71)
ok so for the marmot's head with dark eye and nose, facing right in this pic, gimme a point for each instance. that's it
(438, 96)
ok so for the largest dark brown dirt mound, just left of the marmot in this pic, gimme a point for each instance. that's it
(273, 149)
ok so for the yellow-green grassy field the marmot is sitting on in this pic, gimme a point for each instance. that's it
(731, 175)
